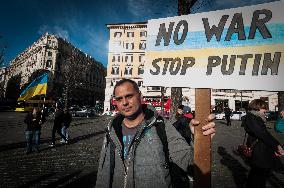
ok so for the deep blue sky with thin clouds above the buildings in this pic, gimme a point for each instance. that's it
(82, 22)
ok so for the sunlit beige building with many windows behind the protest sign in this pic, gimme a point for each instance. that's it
(126, 58)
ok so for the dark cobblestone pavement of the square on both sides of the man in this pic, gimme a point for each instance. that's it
(75, 164)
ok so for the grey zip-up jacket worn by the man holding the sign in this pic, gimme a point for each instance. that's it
(145, 163)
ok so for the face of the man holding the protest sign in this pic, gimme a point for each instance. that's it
(127, 99)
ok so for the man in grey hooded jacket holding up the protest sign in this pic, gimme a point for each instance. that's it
(134, 152)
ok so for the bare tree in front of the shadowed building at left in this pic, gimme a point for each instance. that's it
(74, 70)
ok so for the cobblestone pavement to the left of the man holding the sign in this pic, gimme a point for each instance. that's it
(74, 164)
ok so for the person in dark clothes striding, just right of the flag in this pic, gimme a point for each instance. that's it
(58, 121)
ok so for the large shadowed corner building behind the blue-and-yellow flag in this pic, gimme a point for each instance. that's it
(53, 54)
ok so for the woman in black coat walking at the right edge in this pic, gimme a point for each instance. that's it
(267, 149)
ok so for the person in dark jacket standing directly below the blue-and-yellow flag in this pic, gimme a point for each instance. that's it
(34, 120)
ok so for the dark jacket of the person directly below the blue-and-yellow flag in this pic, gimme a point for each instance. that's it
(34, 123)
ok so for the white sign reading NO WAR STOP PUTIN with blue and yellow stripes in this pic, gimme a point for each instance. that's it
(240, 48)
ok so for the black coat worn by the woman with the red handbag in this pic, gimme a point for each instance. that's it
(263, 151)
